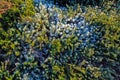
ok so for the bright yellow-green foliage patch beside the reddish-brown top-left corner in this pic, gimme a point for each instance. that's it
(25, 7)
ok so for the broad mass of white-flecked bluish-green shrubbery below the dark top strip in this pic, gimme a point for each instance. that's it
(63, 45)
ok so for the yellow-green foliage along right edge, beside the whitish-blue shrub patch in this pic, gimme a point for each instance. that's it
(110, 22)
